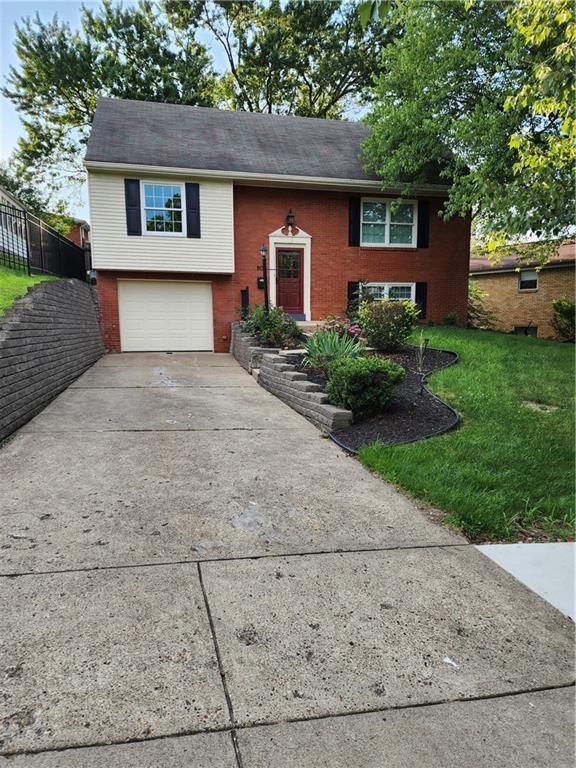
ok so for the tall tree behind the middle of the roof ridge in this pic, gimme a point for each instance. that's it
(297, 57)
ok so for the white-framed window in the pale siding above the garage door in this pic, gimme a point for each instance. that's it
(163, 208)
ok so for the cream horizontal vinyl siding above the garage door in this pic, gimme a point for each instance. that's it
(113, 248)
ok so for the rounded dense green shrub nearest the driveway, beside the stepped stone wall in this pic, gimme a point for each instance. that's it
(363, 385)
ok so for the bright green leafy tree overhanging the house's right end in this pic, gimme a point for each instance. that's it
(482, 89)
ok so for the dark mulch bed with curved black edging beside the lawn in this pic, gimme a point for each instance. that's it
(414, 413)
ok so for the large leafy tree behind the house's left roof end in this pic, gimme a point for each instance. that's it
(129, 53)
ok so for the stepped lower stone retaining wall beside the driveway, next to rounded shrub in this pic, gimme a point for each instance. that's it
(281, 378)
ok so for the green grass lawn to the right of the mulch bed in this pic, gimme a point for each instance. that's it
(507, 472)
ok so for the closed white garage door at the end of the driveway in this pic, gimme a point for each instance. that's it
(165, 316)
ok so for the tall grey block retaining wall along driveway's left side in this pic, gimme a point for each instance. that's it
(47, 340)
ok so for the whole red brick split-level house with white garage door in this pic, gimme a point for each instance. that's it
(183, 198)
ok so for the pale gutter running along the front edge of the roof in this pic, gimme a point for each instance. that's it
(260, 179)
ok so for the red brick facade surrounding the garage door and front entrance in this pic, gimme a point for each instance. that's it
(324, 216)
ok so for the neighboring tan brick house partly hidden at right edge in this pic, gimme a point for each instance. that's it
(521, 296)
